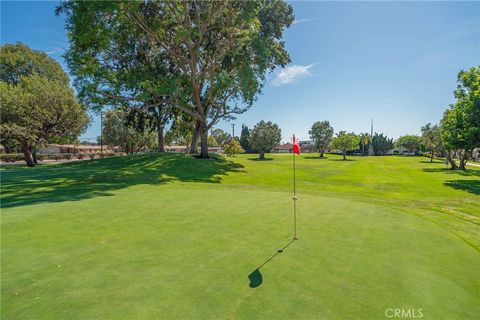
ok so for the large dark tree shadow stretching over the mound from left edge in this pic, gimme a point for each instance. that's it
(87, 179)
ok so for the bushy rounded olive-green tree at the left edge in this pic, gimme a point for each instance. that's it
(38, 104)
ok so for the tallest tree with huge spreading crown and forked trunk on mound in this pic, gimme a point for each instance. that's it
(207, 58)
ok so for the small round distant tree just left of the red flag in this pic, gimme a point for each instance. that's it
(264, 137)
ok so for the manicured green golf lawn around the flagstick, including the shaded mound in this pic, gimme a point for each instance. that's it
(169, 236)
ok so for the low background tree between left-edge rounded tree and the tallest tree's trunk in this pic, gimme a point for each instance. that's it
(117, 131)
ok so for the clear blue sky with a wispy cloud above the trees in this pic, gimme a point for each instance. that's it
(395, 62)
